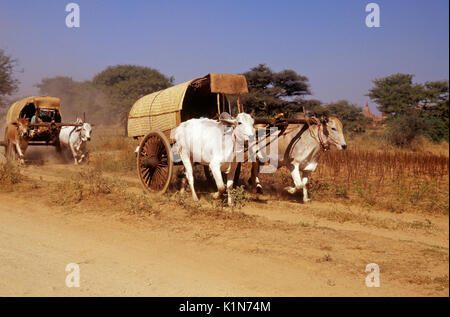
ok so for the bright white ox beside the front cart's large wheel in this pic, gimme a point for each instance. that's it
(215, 144)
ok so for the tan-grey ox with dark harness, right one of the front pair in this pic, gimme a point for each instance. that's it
(299, 148)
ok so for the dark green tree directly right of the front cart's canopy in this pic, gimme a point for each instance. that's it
(271, 92)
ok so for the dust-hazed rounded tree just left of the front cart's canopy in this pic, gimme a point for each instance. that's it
(124, 84)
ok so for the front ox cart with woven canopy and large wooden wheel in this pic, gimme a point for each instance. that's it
(153, 116)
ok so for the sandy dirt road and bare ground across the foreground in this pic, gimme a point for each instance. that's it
(270, 248)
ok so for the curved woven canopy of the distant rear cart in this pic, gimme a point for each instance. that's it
(43, 102)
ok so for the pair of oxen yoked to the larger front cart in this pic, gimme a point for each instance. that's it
(217, 144)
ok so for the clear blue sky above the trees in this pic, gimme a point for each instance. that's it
(327, 41)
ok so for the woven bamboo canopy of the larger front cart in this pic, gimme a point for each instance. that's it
(165, 109)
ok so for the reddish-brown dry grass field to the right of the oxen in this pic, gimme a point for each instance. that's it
(397, 180)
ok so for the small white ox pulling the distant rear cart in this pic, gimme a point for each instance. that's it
(75, 139)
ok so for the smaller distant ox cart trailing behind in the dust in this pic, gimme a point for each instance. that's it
(44, 122)
